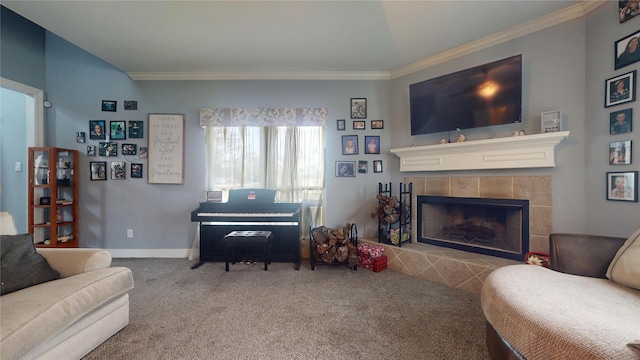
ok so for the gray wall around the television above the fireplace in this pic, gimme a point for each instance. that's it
(553, 79)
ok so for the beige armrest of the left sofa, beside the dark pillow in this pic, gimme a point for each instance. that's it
(75, 261)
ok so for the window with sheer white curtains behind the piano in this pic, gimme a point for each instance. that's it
(289, 159)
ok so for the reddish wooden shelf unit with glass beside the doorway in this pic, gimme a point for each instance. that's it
(53, 174)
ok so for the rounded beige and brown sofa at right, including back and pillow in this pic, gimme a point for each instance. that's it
(587, 306)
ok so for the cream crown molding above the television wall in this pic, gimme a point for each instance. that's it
(558, 17)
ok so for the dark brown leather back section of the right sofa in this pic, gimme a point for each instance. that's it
(580, 254)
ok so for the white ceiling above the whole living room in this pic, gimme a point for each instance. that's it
(287, 39)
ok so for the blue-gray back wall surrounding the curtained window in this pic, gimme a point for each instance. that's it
(160, 214)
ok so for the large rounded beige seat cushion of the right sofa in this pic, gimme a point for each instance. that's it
(546, 314)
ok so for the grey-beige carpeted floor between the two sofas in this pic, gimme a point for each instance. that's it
(332, 312)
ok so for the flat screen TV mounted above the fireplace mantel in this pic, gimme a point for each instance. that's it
(485, 95)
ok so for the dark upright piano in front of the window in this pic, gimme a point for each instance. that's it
(218, 219)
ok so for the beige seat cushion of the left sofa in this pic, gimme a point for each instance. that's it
(38, 313)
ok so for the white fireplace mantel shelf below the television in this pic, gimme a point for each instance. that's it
(528, 151)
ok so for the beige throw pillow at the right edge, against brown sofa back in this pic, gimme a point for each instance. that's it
(625, 266)
